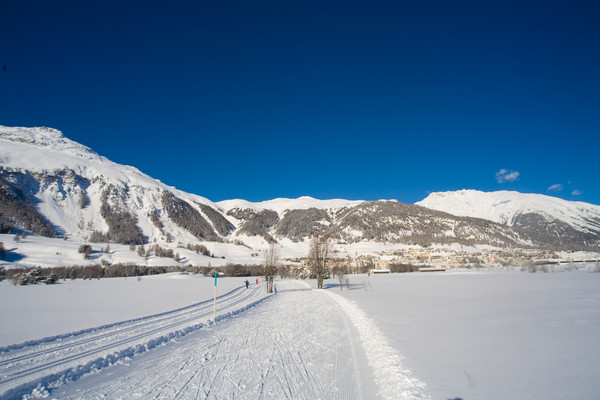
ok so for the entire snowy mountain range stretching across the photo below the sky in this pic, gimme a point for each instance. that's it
(52, 186)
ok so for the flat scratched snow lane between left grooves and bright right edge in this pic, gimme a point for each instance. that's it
(269, 352)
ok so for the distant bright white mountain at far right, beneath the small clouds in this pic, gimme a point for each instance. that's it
(554, 220)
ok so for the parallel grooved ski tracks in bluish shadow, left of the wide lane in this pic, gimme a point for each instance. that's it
(80, 347)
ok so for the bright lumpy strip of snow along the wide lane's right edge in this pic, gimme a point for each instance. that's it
(394, 380)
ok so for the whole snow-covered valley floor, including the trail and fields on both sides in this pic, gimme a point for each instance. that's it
(468, 335)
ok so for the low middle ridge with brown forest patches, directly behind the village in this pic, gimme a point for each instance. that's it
(384, 221)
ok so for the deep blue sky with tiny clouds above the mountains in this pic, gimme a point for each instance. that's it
(357, 100)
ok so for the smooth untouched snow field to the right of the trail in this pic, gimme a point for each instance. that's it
(491, 335)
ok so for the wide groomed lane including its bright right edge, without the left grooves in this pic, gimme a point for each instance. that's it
(299, 344)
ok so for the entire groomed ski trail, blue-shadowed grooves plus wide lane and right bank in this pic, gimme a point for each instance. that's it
(299, 343)
